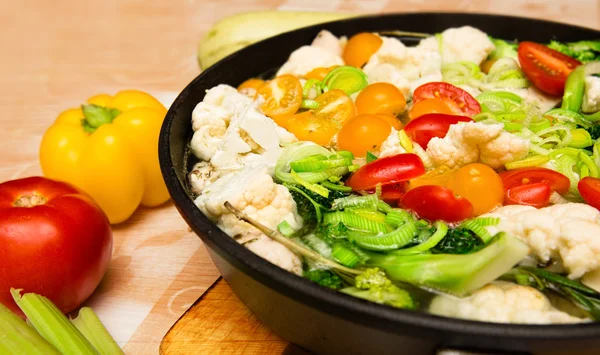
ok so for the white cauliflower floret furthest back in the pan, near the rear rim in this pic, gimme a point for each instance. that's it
(460, 44)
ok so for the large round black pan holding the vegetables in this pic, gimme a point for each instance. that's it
(316, 318)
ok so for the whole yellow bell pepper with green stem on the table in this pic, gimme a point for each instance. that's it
(109, 149)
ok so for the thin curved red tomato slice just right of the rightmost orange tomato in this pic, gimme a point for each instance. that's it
(524, 176)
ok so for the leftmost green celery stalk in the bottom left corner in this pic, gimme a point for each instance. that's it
(16, 337)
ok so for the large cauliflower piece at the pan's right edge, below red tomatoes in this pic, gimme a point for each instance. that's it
(569, 233)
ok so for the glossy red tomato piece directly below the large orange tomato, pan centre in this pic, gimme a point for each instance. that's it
(434, 203)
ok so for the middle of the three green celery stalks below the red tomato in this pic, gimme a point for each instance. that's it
(52, 324)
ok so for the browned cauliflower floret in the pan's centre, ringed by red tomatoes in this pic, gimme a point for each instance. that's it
(470, 142)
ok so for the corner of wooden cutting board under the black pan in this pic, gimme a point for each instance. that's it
(219, 323)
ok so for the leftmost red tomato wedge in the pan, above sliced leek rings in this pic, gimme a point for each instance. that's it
(388, 170)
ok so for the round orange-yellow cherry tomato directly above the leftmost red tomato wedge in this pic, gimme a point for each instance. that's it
(363, 133)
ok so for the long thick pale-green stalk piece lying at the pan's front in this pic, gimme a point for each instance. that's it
(455, 274)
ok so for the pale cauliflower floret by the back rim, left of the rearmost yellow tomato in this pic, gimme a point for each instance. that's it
(307, 58)
